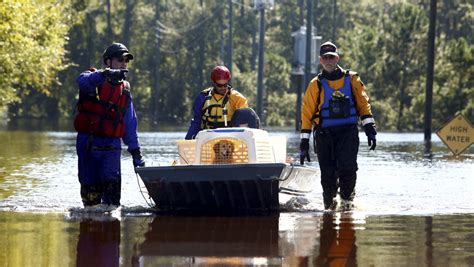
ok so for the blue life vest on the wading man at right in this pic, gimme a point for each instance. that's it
(338, 107)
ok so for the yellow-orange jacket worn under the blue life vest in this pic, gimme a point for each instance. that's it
(314, 97)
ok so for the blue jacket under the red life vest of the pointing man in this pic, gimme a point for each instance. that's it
(88, 81)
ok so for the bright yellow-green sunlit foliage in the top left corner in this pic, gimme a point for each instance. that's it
(32, 39)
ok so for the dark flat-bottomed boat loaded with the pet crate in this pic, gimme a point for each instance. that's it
(227, 169)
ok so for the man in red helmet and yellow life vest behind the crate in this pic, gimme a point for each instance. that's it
(215, 106)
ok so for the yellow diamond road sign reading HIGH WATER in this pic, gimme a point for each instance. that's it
(457, 134)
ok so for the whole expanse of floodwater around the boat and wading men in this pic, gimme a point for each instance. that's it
(408, 212)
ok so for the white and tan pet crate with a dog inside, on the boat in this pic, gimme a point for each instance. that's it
(232, 146)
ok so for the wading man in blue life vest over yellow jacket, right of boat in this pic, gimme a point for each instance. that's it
(334, 102)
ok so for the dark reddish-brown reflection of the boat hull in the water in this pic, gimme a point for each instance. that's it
(210, 240)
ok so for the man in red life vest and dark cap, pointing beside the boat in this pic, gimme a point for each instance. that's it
(104, 116)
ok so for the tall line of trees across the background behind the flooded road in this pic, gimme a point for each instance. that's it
(45, 45)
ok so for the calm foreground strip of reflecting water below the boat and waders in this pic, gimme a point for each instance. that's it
(285, 239)
